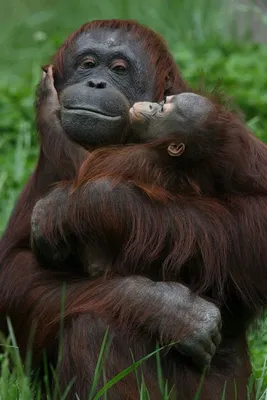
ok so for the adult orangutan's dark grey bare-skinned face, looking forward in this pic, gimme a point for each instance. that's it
(105, 73)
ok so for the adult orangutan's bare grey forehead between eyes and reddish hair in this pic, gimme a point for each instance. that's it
(110, 42)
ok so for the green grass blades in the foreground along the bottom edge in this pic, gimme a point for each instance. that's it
(18, 383)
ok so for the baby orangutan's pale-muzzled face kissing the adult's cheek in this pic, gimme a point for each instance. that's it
(176, 118)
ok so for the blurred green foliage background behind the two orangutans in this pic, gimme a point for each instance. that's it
(212, 40)
